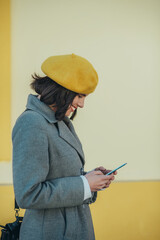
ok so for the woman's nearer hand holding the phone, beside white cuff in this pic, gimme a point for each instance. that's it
(97, 180)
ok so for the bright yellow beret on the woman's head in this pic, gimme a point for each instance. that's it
(72, 72)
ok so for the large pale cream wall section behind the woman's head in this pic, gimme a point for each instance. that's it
(120, 122)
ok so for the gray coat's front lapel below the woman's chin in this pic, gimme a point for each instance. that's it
(68, 134)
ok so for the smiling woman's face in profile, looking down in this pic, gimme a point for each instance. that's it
(78, 101)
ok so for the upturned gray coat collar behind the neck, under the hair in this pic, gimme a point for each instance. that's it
(36, 105)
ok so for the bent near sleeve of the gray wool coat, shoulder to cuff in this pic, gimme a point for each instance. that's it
(30, 169)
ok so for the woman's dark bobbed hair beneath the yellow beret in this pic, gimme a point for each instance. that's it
(53, 94)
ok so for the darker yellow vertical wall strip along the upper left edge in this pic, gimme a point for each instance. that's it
(5, 73)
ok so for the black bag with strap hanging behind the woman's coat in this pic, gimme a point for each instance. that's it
(11, 230)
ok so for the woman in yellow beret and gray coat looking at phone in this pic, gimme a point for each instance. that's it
(48, 160)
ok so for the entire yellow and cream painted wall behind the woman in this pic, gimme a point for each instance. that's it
(121, 38)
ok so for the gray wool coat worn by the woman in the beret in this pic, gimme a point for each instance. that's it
(47, 163)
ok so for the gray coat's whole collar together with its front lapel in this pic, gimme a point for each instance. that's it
(65, 128)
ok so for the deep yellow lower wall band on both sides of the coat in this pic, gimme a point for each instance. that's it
(125, 211)
